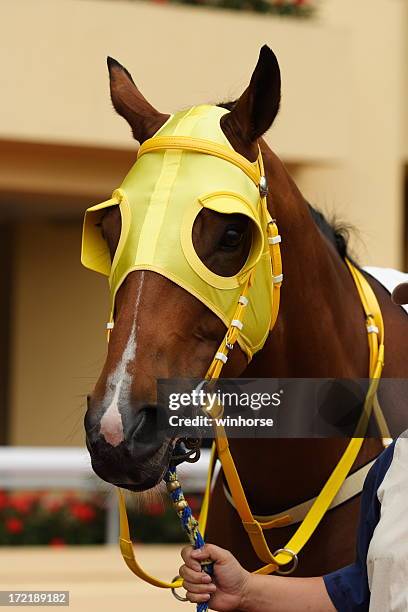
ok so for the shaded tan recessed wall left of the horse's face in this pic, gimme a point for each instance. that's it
(59, 337)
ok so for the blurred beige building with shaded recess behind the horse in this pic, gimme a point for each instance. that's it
(342, 131)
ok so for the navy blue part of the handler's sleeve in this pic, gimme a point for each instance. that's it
(348, 586)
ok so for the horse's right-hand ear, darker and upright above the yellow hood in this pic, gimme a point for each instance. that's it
(255, 111)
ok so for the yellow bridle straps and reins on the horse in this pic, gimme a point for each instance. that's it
(375, 329)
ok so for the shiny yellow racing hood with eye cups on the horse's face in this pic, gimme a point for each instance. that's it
(173, 179)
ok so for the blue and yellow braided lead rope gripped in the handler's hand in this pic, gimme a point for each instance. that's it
(188, 522)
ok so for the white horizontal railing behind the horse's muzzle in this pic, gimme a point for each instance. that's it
(70, 468)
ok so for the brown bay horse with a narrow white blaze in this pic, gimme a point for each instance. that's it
(163, 331)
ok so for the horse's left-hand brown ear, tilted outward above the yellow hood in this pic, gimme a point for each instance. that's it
(130, 104)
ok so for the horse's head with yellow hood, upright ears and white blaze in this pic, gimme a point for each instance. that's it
(177, 240)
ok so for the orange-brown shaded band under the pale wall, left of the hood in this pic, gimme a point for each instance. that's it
(57, 180)
